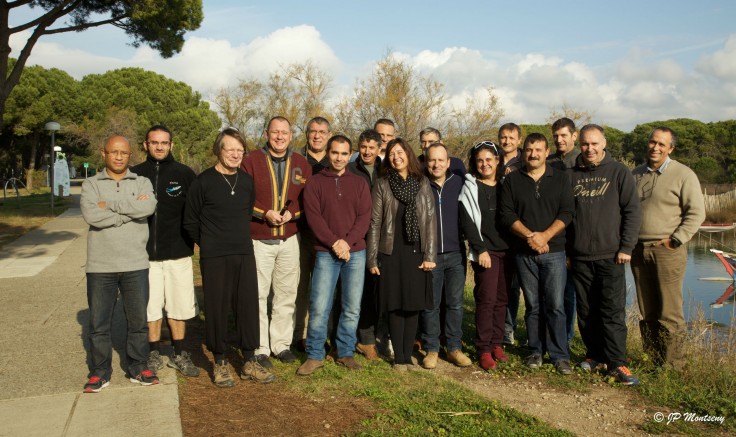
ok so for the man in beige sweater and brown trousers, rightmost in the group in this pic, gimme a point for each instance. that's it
(672, 211)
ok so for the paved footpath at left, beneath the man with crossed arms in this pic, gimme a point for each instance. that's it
(43, 346)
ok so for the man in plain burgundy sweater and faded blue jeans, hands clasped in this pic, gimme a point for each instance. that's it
(337, 205)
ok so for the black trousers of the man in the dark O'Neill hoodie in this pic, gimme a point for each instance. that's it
(601, 305)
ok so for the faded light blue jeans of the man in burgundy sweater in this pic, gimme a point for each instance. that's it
(327, 268)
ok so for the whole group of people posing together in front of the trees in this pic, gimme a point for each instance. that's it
(366, 250)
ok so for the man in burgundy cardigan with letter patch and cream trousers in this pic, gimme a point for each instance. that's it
(279, 175)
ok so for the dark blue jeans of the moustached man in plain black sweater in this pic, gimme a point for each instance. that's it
(542, 278)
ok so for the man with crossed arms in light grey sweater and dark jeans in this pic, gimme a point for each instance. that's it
(115, 203)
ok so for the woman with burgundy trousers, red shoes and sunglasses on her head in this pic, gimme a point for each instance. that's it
(491, 270)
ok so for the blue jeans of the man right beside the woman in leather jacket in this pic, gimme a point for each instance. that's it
(450, 275)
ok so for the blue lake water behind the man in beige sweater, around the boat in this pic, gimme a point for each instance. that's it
(701, 263)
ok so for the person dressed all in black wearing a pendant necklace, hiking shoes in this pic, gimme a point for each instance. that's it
(217, 218)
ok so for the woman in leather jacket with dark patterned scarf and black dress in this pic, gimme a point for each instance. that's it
(402, 245)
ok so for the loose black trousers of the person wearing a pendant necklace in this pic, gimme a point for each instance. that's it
(230, 283)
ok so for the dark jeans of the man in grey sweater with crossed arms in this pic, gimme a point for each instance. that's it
(102, 293)
